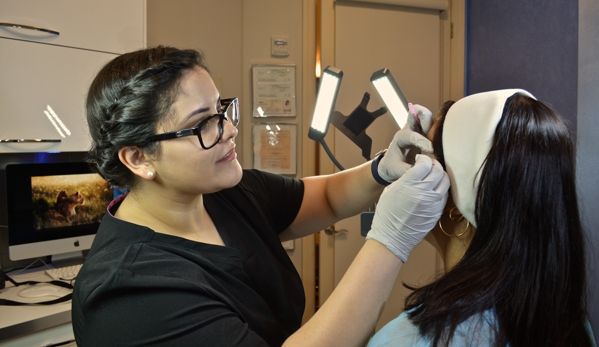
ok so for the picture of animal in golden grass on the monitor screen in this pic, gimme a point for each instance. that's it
(65, 200)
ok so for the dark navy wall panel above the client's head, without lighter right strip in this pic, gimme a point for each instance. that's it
(530, 44)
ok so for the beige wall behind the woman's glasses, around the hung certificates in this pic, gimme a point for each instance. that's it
(234, 35)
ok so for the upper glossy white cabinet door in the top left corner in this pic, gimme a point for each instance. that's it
(113, 26)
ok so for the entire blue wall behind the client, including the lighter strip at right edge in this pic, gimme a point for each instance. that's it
(550, 48)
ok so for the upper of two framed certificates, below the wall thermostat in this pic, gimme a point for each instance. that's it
(273, 90)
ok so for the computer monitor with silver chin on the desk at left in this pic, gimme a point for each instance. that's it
(53, 205)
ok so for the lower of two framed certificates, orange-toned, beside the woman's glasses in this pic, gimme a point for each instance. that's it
(275, 148)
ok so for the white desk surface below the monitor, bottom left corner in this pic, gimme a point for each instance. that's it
(22, 320)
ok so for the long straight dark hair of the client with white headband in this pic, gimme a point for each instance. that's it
(526, 260)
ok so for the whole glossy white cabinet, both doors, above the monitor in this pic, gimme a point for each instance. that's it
(44, 78)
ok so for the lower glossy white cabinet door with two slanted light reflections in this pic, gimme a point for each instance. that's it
(42, 95)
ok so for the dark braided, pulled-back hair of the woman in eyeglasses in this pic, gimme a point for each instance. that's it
(129, 98)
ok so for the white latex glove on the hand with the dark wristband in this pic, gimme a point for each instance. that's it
(406, 144)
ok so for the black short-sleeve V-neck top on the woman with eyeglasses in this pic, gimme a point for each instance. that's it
(142, 288)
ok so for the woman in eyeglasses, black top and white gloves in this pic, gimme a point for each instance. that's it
(192, 256)
